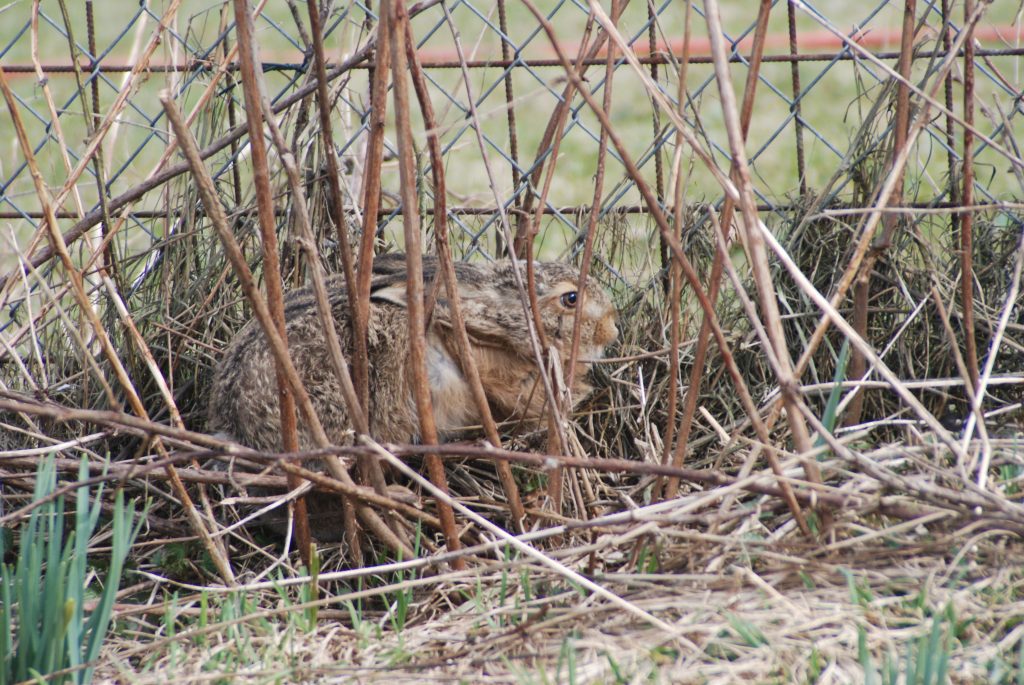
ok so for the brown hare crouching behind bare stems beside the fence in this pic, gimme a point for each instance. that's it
(244, 398)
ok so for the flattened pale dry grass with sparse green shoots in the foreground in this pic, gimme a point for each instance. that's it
(743, 605)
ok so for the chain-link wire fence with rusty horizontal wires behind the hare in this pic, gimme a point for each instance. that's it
(825, 101)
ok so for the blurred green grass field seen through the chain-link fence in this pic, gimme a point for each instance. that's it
(834, 107)
